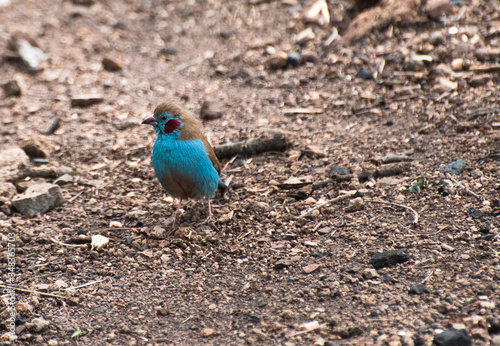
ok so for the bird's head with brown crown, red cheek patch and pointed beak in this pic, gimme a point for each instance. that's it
(167, 119)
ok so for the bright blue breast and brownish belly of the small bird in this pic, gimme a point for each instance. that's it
(184, 168)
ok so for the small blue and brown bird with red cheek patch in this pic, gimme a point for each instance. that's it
(183, 160)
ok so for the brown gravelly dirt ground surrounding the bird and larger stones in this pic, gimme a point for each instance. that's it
(288, 259)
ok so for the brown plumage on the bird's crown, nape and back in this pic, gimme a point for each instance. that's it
(191, 129)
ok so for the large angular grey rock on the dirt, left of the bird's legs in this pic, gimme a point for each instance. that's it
(38, 198)
